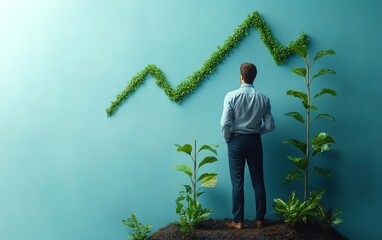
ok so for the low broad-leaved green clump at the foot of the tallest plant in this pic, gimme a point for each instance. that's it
(296, 212)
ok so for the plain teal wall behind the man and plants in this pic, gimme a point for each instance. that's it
(69, 172)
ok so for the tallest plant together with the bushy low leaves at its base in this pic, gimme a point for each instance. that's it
(294, 211)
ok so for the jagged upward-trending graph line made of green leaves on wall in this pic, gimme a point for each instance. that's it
(278, 52)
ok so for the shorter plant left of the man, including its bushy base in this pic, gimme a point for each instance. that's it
(188, 208)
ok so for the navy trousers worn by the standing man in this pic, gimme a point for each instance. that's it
(246, 148)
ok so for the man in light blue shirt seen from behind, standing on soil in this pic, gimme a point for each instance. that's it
(246, 116)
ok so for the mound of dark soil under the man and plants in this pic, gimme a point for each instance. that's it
(217, 230)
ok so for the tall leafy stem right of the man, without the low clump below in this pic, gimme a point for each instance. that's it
(321, 142)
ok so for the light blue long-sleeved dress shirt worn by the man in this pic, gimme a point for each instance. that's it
(246, 111)
